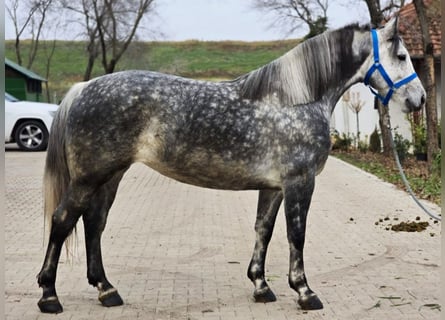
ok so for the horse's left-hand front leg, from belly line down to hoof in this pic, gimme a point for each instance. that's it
(269, 202)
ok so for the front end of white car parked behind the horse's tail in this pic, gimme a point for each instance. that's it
(28, 123)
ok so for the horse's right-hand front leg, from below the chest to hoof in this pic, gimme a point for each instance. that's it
(297, 198)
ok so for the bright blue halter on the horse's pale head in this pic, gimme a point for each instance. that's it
(377, 66)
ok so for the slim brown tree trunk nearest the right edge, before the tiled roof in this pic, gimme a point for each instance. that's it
(429, 81)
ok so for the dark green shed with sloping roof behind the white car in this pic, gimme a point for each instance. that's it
(22, 83)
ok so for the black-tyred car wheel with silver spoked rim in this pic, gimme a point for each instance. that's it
(32, 135)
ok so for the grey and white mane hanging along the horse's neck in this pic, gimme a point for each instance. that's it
(304, 74)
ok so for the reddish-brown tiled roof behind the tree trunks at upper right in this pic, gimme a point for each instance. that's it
(410, 32)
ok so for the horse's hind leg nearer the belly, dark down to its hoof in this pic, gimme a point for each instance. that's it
(94, 221)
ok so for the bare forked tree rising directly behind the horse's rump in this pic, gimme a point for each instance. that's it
(110, 26)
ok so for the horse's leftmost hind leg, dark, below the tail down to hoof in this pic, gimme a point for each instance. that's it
(75, 201)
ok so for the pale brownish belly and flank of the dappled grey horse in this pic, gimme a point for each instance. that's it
(201, 167)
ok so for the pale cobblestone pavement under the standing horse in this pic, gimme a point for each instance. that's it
(179, 252)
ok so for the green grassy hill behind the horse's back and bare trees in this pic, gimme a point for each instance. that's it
(194, 59)
